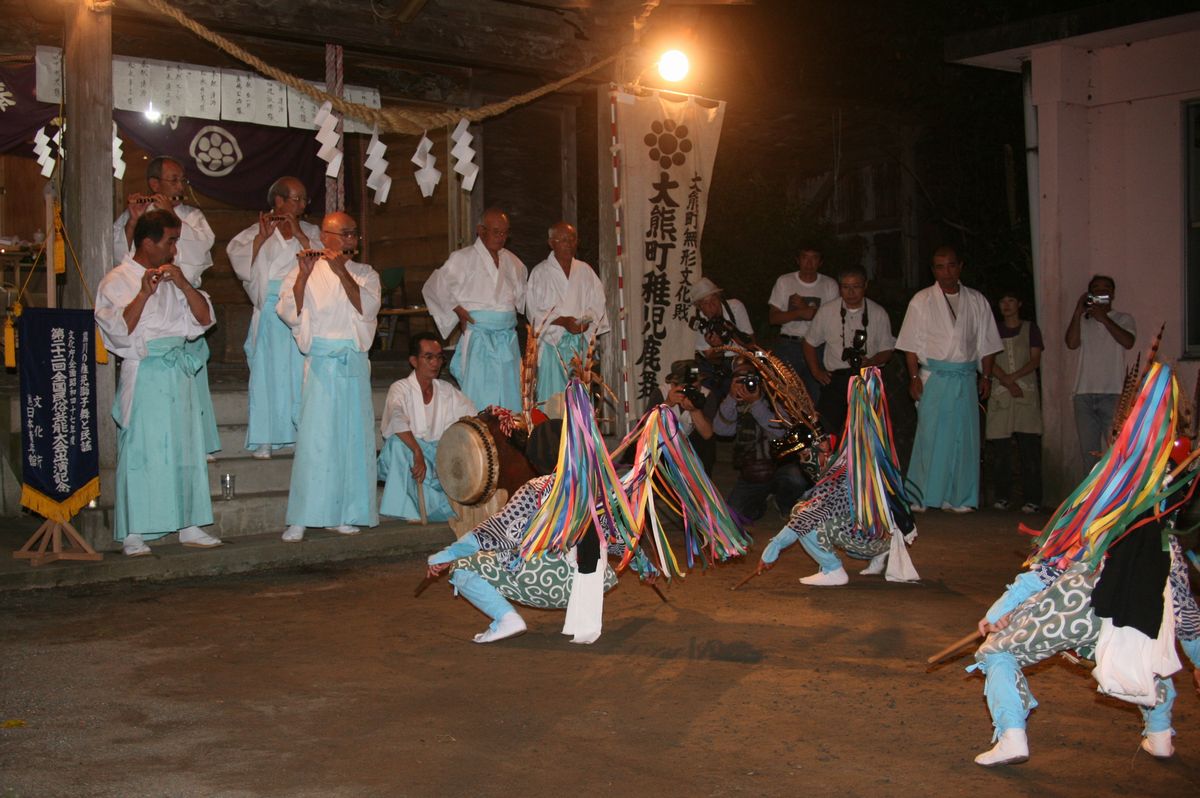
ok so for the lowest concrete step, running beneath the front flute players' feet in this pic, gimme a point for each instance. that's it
(256, 553)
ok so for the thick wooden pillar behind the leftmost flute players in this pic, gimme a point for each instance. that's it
(88, 178)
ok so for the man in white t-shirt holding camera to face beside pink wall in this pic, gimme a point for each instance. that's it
(1102, 335)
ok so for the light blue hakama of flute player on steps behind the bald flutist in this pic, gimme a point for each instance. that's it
(277, 376)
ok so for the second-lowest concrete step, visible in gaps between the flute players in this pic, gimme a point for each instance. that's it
(249, 514)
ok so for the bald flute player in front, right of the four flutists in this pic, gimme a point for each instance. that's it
(332, 303)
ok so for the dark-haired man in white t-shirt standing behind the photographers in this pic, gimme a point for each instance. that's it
(795, 301)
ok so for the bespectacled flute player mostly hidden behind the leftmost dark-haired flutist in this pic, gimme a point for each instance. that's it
(167, 184)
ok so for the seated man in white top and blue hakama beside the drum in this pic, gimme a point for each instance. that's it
(419, 410)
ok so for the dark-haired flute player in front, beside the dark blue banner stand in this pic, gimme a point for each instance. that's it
(147, 309)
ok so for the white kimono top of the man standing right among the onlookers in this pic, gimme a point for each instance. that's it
(933, 333)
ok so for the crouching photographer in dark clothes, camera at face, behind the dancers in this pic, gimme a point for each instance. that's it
(747, 416)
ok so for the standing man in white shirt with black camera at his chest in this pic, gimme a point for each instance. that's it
(856, 334)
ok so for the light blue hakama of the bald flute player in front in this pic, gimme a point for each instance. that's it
(334, 472)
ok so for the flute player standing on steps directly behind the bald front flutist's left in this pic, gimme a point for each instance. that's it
(262, 256)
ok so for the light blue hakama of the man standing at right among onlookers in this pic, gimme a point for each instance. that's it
(945, 465)
